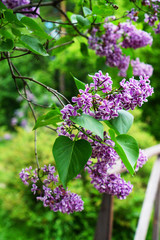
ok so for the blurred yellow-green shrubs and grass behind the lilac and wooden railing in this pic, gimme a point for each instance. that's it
(21, 216)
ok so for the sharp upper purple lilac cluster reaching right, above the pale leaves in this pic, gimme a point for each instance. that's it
(132, 93)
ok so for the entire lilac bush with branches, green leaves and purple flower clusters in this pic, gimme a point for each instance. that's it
(82, 142)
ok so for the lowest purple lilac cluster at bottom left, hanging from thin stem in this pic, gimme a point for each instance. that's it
(57, 198)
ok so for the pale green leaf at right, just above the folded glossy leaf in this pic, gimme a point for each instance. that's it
(122, 123)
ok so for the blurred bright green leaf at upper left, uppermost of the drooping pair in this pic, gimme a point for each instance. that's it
(35, 28)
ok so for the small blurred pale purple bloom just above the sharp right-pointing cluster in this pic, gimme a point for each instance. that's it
(141, 69)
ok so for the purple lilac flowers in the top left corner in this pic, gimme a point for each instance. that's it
(15, 3)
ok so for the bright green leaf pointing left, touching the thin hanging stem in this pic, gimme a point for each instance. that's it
(52, 117)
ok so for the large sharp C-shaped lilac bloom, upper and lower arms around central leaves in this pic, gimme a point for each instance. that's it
(100, 101)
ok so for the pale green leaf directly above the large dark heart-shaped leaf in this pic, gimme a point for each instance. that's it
(90, 123)
